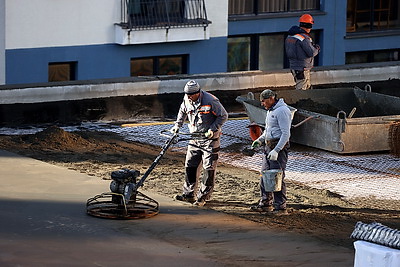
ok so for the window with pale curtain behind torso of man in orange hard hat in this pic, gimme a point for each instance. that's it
(260, 52)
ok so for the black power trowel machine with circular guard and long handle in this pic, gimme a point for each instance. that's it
(125, 201)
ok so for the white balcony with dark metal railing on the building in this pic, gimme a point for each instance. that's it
(161, 21)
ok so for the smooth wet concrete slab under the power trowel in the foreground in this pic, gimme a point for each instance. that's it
(43, 223)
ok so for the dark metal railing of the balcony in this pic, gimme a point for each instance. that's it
(156, 14)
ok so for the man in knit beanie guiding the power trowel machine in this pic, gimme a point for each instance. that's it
(206, 115)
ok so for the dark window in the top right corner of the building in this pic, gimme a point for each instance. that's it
(371, 15)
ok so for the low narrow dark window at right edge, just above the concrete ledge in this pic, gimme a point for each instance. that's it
(373, 56)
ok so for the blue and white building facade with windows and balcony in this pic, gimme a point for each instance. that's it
(102, 39)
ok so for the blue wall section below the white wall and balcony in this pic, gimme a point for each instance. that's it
(111, 60)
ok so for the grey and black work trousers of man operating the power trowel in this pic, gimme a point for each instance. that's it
(205, 152)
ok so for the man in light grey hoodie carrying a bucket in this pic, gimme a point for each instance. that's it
(276, 140)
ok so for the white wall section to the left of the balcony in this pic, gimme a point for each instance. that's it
(46, 23)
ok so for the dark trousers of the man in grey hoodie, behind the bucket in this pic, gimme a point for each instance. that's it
(276, 199)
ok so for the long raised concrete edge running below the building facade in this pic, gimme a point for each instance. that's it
(216, 82)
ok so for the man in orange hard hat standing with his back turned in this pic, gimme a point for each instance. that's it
(301, 51)
